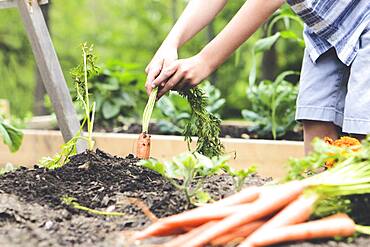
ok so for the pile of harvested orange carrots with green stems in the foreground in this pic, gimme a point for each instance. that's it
(262, 216)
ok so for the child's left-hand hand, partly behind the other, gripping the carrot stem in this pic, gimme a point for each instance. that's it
(165, 56)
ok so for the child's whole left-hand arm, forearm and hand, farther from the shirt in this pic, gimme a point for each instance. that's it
(195, 17)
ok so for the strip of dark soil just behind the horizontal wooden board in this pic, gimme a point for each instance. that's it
(228, 131)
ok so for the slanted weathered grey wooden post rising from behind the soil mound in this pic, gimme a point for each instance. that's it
(49, 67)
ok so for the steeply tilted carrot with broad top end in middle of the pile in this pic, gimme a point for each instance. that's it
(296, 212)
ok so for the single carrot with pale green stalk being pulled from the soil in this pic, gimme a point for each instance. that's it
(143, 143)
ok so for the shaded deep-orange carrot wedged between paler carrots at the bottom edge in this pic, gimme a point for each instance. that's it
(238, 233)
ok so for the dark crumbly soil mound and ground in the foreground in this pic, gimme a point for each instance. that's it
(32, 212)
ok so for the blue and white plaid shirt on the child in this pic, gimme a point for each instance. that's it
(333, 23)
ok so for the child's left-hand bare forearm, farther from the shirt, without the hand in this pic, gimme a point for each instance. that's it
(195, 17)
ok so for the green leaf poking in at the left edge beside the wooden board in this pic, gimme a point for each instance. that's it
(12, 136)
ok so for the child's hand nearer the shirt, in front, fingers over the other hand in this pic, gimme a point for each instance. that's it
(183, 73)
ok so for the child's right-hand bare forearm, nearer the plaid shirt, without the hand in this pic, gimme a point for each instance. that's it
(252, 14)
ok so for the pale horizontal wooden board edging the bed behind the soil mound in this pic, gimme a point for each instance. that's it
(270, 157)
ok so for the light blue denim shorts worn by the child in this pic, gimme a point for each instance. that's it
(330, 91)
